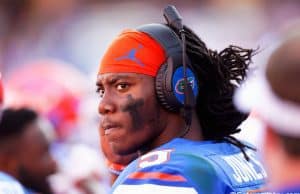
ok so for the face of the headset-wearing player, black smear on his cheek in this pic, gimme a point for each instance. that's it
(131, 118)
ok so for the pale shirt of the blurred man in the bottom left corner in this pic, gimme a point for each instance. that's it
(9, 185)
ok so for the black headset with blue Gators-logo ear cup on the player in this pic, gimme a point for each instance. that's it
(176, 73)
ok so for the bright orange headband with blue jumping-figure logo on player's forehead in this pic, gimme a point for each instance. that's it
(133, 52)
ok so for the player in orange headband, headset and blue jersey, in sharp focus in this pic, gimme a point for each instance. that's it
(186, 146)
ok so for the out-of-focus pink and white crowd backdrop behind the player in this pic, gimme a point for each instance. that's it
(50, 51)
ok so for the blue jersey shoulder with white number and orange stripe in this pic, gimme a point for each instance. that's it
(175, 171)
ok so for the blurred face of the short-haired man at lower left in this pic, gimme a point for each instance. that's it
(35, 161)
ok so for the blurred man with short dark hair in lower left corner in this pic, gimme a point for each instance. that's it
(24, 150)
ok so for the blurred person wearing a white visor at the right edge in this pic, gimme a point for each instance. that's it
(278, 106)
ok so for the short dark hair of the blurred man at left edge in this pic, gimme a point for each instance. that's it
(14, 122)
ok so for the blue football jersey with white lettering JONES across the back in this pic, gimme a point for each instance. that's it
(190, 167)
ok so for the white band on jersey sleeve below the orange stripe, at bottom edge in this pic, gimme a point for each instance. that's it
(150, 189)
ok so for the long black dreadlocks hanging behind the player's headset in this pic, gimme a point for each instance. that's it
(218, 74)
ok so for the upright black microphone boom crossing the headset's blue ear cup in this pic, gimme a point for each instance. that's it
(175, 21)
